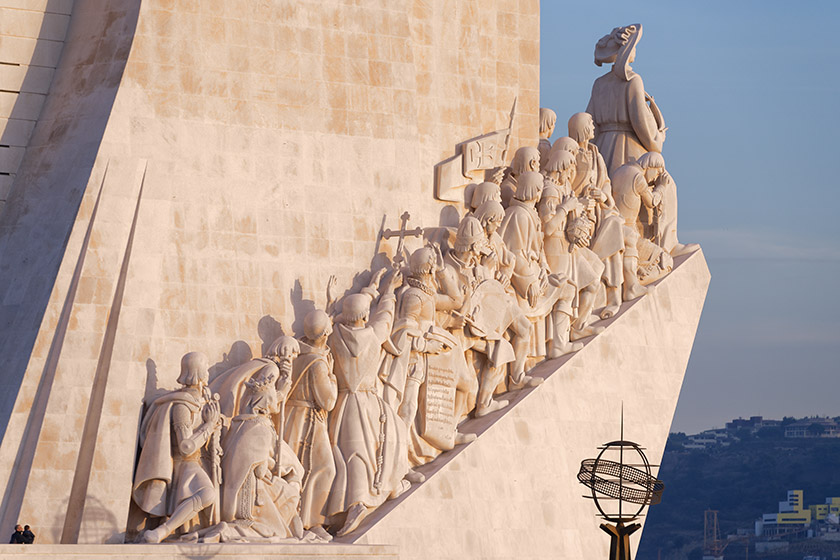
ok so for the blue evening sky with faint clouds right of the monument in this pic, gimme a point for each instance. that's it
(750, 93)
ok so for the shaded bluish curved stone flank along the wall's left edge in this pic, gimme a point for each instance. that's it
(38, 219)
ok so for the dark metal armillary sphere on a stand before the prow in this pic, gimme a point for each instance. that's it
(621, 486)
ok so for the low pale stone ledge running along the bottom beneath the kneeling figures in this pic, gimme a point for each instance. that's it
(197, 551)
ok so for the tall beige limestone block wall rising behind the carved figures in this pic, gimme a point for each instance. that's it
(199, 170)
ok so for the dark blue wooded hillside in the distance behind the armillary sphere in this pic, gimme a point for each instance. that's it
(742, 481)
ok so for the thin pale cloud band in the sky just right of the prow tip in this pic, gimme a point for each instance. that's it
(751, 244)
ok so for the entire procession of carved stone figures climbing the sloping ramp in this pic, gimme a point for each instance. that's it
(305, 442)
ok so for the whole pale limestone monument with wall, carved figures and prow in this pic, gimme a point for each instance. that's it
(214, 345)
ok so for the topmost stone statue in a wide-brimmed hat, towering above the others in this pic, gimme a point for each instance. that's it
(626, 126)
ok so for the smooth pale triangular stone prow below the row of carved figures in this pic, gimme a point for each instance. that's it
(511, 492)
